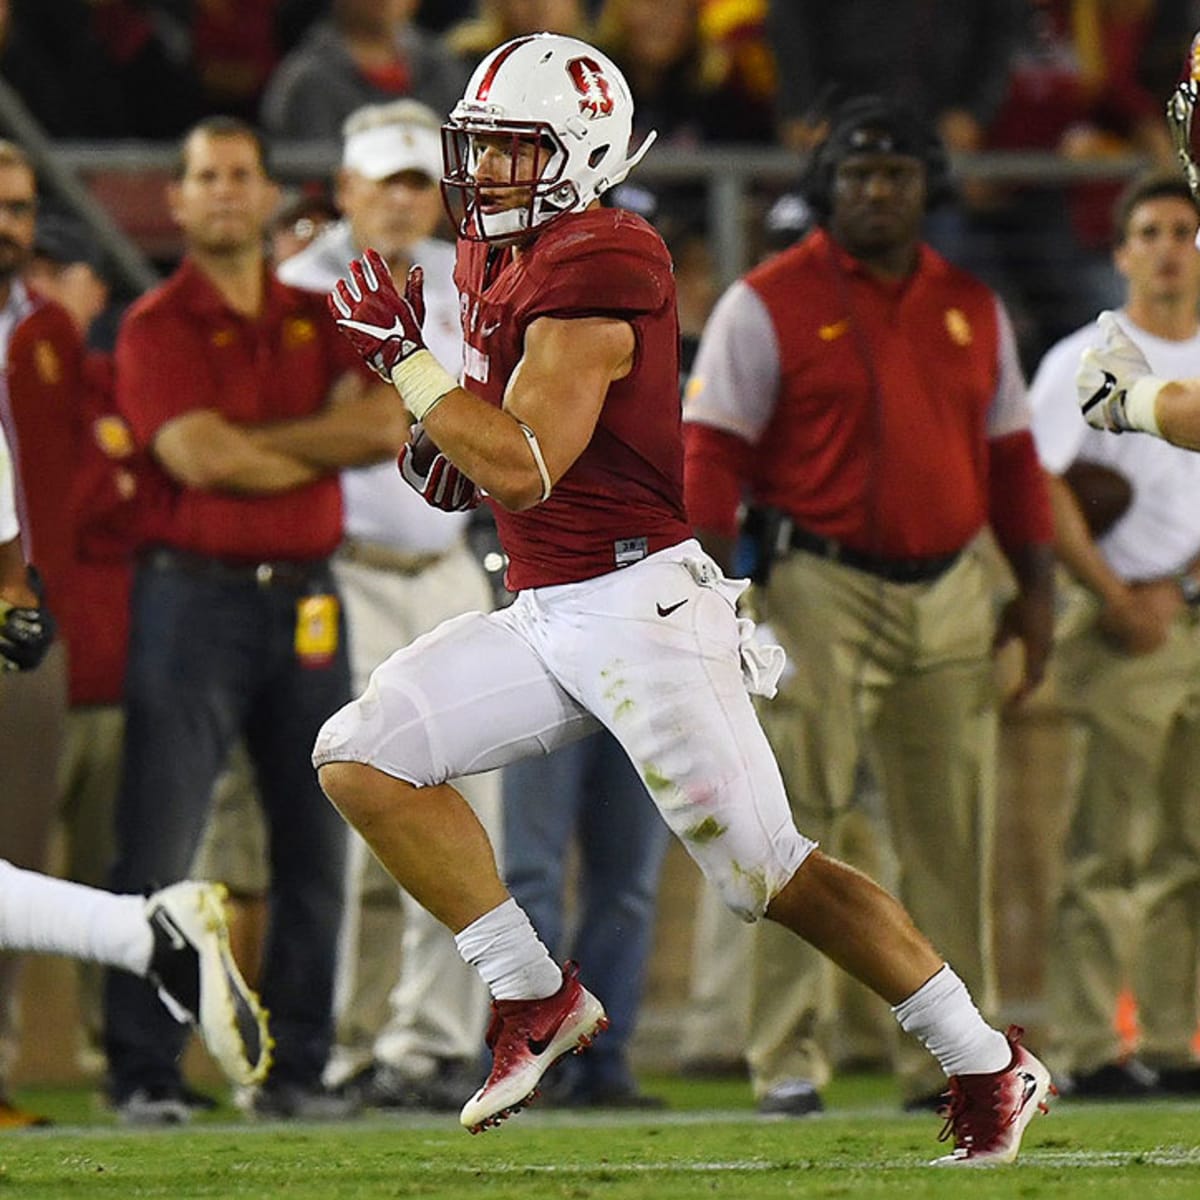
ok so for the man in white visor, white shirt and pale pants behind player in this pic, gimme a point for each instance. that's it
(403, 569)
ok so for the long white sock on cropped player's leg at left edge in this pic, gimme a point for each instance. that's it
(49, 916)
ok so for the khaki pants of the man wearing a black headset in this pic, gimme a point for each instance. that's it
(901, 675)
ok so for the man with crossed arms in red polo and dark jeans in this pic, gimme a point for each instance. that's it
(237, 388)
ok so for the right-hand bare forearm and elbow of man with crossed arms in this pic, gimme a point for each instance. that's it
(363, 423)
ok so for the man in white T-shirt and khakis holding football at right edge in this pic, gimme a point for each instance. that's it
(1129, 667)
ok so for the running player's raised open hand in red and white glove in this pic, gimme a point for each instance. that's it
(383, 326)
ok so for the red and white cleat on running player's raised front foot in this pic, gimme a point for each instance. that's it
(527, 1037)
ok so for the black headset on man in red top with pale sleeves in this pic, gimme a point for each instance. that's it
(901, 131)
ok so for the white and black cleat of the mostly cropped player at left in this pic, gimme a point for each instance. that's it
(199, 981)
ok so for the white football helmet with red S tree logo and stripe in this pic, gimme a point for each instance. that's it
(550, 89)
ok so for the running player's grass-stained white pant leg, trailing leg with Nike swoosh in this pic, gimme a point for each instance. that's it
(673, 692)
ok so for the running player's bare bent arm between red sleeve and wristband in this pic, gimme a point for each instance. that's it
(557, 393)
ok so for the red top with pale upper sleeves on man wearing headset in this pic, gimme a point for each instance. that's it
(871, 411)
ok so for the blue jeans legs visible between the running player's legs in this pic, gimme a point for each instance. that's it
(590, 793)
